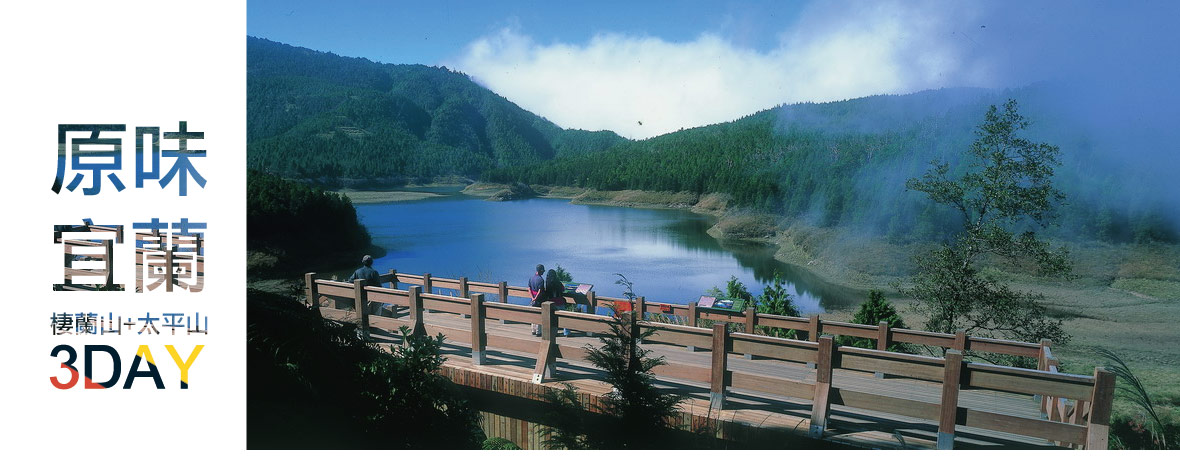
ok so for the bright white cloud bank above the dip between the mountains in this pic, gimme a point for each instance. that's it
(836, 51)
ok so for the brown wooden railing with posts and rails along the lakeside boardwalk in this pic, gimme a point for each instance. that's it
(1078, 407)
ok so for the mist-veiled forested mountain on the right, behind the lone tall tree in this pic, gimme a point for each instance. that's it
(845, 164)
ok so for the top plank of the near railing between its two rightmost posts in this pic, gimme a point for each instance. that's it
(1031, 382)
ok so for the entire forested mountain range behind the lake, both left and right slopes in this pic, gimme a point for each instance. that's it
(320, 116)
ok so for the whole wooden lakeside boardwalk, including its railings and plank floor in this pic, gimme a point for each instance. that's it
(743, 383)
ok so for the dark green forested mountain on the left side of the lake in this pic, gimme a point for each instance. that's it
(314, 115)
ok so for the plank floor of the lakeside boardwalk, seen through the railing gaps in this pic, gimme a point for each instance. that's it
(757, 410)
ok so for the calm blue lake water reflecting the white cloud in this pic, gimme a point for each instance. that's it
(667, 255)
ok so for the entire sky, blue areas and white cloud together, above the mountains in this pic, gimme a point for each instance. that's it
(684, 64)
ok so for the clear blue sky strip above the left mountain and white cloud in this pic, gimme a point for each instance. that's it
(437, 32)
